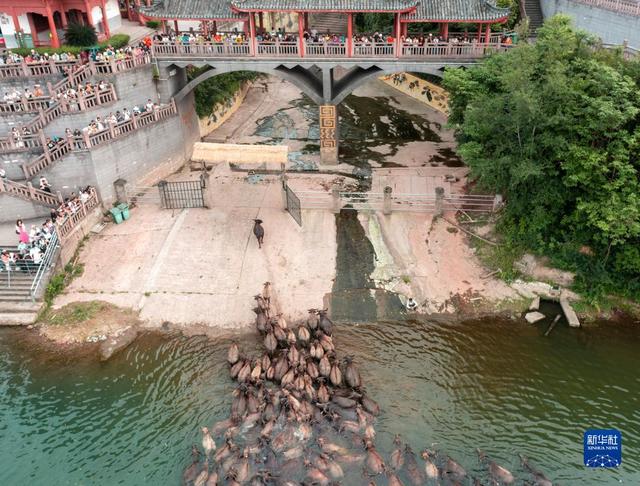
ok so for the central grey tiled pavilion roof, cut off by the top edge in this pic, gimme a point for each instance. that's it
(326, 5)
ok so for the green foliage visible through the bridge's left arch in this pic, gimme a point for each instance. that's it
(217, 89)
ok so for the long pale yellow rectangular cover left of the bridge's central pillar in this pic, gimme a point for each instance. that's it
(214, 153)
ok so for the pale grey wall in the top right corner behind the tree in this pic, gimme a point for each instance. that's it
(611, 27)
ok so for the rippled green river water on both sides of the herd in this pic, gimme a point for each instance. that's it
(452, 386)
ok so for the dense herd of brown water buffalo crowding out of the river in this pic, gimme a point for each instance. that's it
(301, 416)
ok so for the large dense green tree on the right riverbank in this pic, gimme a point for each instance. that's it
(555, 127)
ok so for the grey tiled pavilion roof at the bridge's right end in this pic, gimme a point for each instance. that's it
(461, 10)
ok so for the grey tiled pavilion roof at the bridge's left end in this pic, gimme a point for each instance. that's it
(192, 9)
